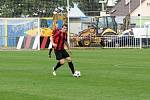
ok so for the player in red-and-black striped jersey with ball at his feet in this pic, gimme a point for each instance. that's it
(58, 40)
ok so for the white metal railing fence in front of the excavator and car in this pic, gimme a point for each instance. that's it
(110, 41)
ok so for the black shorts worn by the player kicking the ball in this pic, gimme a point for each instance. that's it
(61, 54)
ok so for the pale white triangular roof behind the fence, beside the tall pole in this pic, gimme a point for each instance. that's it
(75, 12)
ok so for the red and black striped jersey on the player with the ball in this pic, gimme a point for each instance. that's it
(59, 38)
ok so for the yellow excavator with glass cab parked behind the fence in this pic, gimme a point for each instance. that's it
(105, 25)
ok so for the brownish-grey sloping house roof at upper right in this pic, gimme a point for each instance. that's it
(122, 9)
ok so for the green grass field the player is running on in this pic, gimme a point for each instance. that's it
(107, 74)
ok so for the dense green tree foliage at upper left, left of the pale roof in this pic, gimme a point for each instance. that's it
(32, 8)
